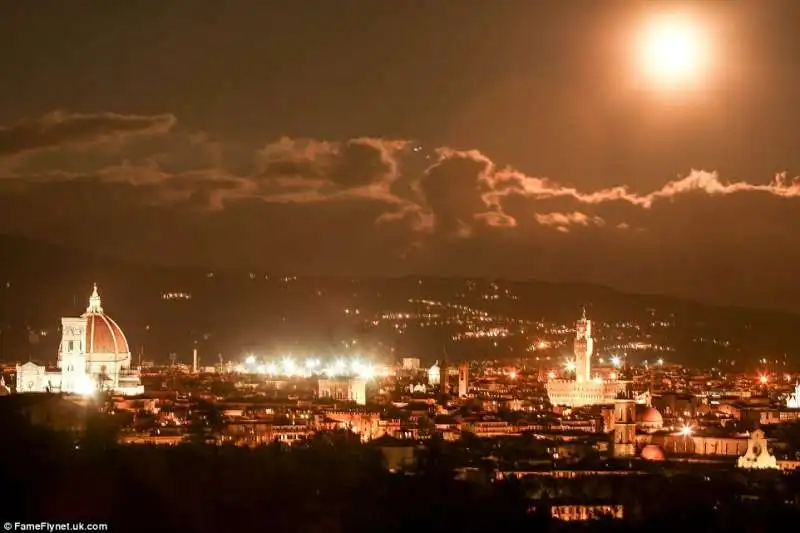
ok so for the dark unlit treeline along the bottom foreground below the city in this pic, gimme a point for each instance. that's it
(333, 483)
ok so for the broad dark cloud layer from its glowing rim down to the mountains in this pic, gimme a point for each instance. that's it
(380, 206)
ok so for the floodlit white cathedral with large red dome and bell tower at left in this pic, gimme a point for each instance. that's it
(93, 355)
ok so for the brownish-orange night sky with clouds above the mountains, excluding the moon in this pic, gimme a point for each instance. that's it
(494, 138)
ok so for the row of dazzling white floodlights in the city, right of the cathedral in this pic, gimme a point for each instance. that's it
(288, 367)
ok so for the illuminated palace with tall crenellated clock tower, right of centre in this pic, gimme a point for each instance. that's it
(583, 390)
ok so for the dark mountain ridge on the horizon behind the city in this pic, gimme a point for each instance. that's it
(235, 308)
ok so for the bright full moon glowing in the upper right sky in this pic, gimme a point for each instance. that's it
(673, 51)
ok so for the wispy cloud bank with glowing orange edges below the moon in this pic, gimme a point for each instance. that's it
(436, 189)
